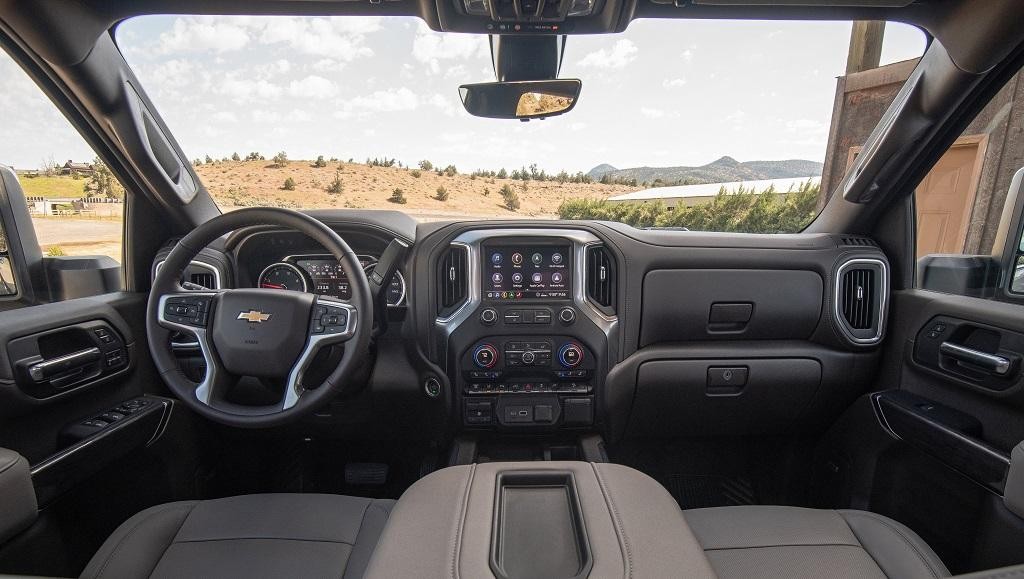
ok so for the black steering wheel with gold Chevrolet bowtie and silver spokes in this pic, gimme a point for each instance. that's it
(258, 333)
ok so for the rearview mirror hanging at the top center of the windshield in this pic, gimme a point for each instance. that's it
(521, 100)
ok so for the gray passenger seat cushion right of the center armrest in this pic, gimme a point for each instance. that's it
(792, 543)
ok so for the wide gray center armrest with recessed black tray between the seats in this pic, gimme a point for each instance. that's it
(558, 520)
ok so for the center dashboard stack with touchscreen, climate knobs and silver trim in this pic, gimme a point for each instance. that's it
(528, 350)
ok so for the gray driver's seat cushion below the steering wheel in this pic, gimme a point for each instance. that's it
(271, 535)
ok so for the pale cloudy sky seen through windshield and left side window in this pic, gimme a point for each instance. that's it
(664, 93)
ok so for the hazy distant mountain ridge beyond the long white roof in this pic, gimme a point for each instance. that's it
(722, 171)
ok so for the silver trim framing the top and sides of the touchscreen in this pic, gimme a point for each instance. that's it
(581, 241)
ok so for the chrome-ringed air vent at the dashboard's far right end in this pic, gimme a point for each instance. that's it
(861, 300)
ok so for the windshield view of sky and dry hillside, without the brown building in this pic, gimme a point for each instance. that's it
(703, 126)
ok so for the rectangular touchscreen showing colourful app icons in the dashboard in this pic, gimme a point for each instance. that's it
(541, 272)
